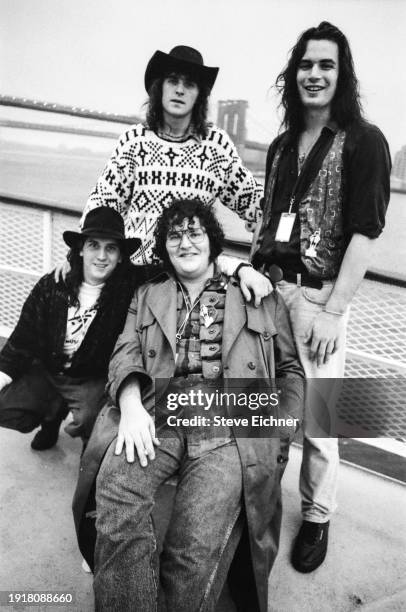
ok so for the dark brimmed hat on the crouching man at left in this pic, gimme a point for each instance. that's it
(103, 222)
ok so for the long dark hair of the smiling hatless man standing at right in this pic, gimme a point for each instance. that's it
(346, 106)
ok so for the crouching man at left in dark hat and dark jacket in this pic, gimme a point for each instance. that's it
(56, 359)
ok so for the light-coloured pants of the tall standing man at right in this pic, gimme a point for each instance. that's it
(319, 471)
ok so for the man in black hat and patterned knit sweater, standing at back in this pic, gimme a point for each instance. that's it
(176, 154)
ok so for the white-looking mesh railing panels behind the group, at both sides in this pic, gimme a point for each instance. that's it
(31, 244)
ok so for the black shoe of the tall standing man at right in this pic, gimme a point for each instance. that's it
(310, 548)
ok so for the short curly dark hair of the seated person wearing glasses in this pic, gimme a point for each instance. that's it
(174, 215)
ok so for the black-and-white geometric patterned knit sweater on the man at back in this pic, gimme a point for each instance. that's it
(145, 173)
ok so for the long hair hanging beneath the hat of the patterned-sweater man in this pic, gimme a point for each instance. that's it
(154, 118)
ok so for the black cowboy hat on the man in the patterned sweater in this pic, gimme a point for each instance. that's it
(181, 60)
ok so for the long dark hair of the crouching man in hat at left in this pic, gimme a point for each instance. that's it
(74, 277)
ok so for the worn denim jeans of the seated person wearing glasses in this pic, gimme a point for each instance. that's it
(200, 541)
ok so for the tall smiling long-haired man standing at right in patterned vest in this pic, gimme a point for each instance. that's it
(327, 190)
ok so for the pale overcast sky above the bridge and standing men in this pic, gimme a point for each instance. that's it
(93, 53)
